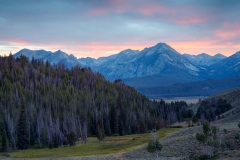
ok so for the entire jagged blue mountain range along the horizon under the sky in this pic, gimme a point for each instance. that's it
(155, 66)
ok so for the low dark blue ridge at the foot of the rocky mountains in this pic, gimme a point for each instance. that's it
(200, 88)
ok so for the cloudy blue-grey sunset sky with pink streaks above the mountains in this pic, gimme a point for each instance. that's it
(96, 28)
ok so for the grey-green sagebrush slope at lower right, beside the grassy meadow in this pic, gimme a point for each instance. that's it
(183, 144)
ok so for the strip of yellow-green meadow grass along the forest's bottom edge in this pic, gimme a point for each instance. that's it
(110, 145)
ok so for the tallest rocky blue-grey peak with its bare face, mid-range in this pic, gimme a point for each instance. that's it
(159, 59)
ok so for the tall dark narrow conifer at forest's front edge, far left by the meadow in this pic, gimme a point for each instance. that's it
(23, 133)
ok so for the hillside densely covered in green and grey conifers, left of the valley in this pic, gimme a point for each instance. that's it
(47, 106)
